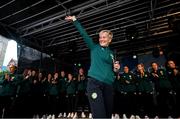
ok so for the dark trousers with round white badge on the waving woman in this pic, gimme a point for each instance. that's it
(100, 97)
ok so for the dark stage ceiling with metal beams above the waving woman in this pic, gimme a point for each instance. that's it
(40, 24)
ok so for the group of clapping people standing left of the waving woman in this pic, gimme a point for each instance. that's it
(35, 93)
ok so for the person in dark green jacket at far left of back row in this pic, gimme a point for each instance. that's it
(8, 91)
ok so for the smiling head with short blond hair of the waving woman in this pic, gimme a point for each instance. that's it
(105, 38)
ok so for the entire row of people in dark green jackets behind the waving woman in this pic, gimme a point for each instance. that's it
(144, 93)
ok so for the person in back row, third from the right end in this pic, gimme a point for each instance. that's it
(145, 91)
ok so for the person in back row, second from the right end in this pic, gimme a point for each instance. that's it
(163, 88)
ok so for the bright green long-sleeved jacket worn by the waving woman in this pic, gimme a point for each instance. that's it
(101, 58)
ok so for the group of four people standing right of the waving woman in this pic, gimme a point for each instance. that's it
(148, 93)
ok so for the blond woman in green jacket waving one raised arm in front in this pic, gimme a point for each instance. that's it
(101, 75)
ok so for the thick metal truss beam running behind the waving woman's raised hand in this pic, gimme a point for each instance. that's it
(55, 20)
